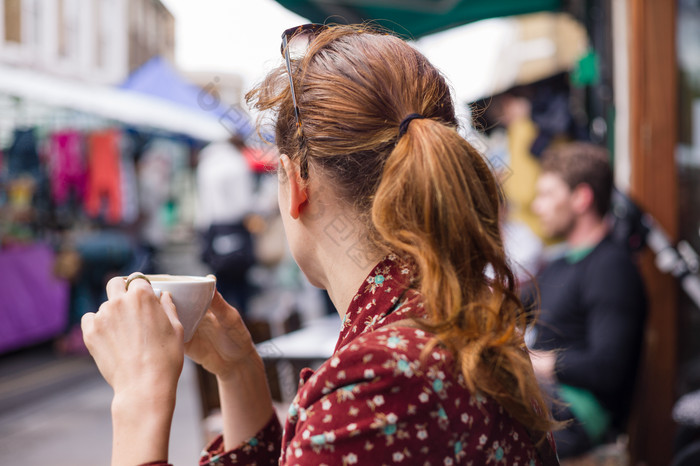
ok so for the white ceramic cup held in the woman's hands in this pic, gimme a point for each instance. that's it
(191, 295)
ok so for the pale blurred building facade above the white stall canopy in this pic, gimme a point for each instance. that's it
(97, 41)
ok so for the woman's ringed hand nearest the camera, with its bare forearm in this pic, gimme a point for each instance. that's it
(137, 342)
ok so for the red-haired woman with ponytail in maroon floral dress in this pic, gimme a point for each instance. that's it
(392, 212)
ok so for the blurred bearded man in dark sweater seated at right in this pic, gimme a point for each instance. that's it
(587, 339)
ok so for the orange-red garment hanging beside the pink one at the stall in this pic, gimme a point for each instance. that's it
(104, 178)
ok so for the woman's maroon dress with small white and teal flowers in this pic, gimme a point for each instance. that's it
(375, 402)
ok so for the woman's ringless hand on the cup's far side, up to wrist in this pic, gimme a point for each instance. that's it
(222, 343)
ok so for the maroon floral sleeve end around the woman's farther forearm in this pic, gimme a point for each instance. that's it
(263, 449)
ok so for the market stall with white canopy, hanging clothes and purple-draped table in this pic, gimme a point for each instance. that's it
(93, 180)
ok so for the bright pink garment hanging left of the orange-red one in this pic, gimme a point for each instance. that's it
(66, 166)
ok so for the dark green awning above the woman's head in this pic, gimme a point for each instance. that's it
(414, 18)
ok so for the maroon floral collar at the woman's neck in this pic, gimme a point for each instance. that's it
(386, 291)
